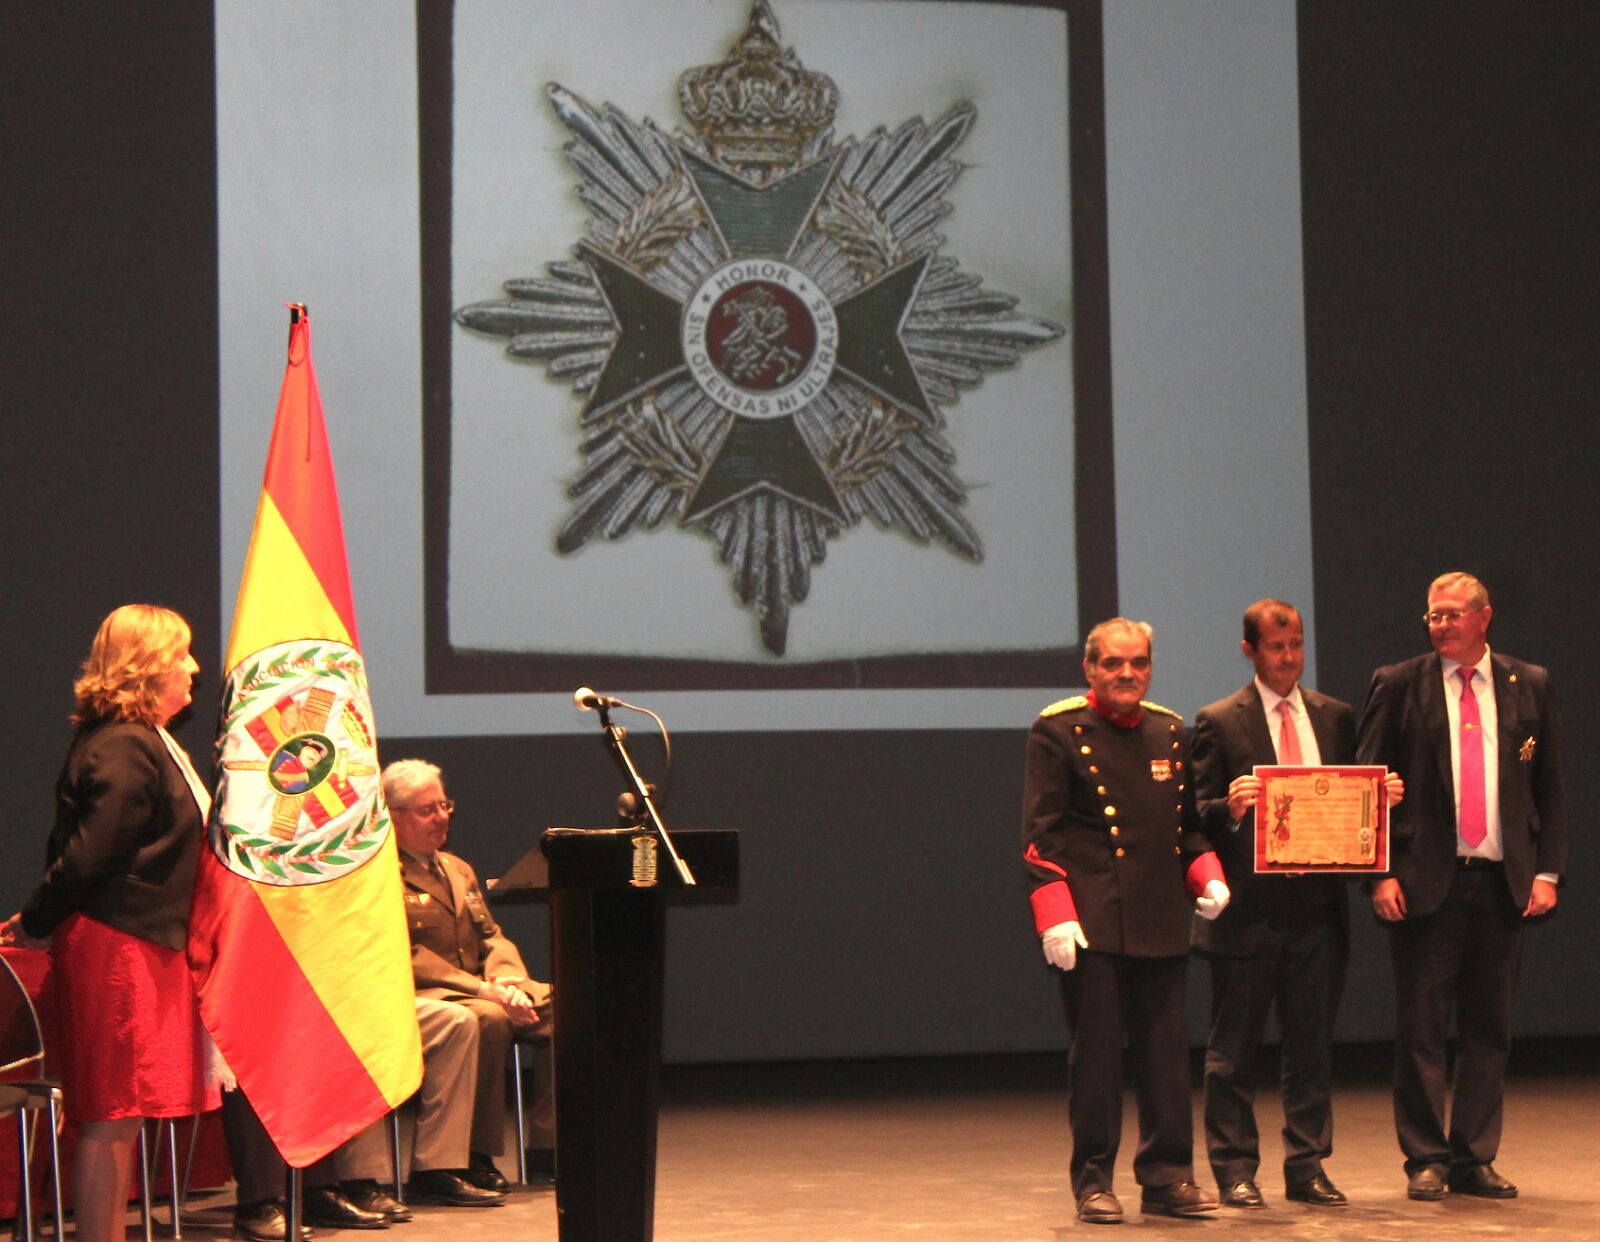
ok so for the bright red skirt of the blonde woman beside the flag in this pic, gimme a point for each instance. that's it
(130, 1041)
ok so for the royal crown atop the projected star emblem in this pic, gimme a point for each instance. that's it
(759, 108)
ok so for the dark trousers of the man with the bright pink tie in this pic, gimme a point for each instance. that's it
(1462, 960)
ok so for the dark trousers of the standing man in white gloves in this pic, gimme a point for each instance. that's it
(1110, 996)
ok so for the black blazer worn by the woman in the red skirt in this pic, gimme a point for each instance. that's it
(126, 841)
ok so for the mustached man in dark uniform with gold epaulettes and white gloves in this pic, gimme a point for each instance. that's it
(1114, 862)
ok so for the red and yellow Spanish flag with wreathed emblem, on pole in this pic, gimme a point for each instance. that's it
(298, 940)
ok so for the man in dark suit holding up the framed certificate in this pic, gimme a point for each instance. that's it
(1284, 940)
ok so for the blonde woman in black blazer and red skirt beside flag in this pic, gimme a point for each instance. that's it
(114, 907)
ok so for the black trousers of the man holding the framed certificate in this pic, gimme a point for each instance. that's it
(1298, 971)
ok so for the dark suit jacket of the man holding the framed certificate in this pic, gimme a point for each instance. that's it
(1231, 737)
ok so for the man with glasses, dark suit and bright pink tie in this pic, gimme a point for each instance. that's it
(1478, 849)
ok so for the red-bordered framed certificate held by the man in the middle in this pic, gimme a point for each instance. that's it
(1324, 820)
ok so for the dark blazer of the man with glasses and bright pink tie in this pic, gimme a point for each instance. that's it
(1407, 727)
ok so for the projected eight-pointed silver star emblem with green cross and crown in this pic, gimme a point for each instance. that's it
(762, 324)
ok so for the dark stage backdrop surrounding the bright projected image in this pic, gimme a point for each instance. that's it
(1449, 263)
